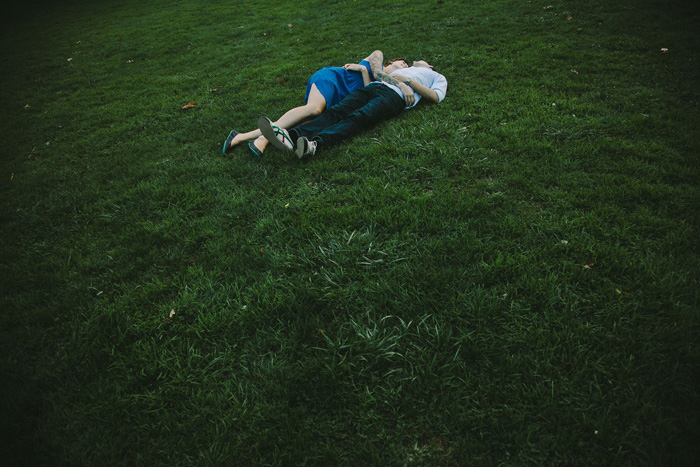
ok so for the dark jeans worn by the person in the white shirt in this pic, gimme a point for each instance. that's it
(360, 110)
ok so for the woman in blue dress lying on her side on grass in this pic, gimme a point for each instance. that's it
(325, 88)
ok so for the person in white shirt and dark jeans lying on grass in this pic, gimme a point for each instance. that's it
(361, 109)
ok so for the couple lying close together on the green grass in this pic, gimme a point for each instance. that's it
(342, 101)
